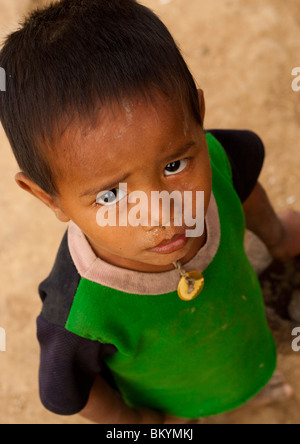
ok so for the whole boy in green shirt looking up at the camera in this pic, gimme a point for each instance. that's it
(98, 96)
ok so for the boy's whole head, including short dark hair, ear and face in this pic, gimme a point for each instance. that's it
(97, 90)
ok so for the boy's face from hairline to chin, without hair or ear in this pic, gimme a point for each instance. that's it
(155, 146)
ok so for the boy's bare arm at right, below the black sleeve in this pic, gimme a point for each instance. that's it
(280, 233)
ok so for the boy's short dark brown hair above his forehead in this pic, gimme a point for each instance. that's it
(75, 56)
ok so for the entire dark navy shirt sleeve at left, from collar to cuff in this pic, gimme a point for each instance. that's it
(69, 364)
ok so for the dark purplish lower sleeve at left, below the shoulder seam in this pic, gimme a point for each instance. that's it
(68, 368)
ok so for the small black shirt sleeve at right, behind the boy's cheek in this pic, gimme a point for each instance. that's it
(246, 154)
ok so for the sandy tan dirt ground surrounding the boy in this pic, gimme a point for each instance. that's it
(242, 54)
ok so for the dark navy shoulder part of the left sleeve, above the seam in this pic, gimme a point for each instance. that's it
(58, 290)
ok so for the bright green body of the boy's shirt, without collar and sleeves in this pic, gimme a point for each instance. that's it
(189, 359)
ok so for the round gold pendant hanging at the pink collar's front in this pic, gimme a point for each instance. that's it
(191, 283)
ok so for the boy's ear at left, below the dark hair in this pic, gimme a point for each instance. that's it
(31, 187)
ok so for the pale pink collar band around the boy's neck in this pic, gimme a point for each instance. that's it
(91, 267)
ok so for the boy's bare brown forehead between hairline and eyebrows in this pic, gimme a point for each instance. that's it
(120, 133)
